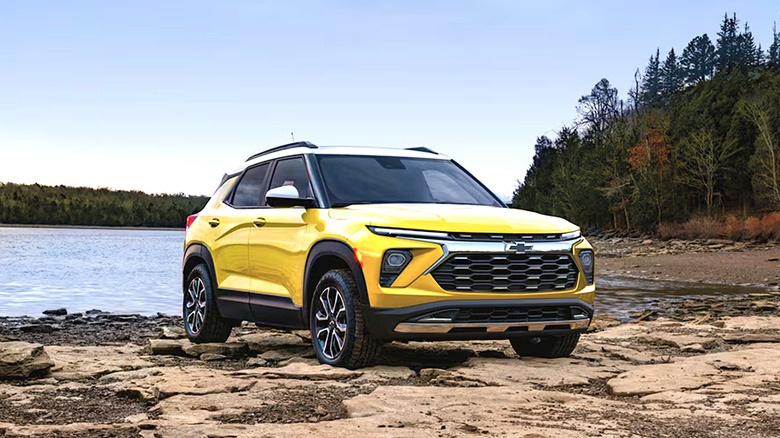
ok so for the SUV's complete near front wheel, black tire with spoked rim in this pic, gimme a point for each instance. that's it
(358, 348)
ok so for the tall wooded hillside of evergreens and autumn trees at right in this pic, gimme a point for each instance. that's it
(698, 135)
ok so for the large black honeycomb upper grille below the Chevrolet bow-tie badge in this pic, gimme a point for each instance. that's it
(507, 273)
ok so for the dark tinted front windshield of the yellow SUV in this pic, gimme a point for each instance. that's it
(353, 179)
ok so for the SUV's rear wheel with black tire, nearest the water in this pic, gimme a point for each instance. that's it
(209, 325)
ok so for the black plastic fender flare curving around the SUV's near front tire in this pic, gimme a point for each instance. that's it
(328, 248)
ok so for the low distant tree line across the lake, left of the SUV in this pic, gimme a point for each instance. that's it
(60, 205)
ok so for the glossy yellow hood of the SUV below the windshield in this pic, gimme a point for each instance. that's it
(454, 218)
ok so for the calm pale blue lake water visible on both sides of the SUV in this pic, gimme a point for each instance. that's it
(137, 271)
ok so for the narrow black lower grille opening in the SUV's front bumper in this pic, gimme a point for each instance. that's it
(513, 314)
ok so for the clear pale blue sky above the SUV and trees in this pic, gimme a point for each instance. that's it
(166, 96)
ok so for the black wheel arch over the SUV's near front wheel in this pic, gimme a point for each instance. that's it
(324, 256)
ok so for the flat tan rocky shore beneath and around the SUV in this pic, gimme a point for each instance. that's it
(703, 367)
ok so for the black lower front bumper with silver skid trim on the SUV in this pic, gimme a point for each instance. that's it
(479, 319)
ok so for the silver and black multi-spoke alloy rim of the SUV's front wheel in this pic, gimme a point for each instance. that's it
(331, 322)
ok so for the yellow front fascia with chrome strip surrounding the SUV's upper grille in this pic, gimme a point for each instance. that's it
(415, 285)
